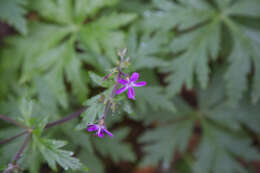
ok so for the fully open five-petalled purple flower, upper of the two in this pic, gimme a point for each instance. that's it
(130, 84)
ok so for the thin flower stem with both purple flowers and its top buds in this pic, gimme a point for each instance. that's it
(128, 84)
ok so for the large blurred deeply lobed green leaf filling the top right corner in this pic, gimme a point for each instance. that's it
(203, 44)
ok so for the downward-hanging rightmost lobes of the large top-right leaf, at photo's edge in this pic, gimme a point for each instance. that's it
(246, 41)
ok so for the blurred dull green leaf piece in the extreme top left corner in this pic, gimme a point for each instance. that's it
(12, 12)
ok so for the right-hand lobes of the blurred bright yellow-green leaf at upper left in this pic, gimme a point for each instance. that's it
(102, 35)
